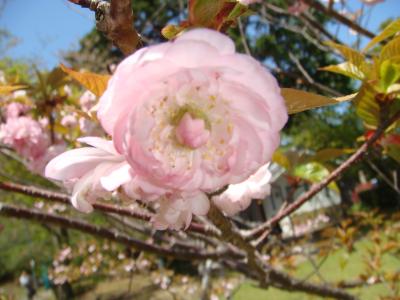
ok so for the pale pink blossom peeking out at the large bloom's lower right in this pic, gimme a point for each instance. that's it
(238, 196)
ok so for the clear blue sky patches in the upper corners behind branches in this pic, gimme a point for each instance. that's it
(46, 27)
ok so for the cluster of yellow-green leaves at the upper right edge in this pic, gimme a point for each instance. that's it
(377, 74)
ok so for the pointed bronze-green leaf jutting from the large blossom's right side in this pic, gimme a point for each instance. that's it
(297, 100)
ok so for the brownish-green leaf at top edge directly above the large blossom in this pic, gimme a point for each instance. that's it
(203, 12)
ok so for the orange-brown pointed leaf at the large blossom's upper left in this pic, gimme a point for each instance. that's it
(95, 83)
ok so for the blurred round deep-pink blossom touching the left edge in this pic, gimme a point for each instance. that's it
(26, 136)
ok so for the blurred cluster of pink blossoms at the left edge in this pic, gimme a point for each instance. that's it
(27, 136)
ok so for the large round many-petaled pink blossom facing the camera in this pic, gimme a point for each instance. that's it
(192, 115)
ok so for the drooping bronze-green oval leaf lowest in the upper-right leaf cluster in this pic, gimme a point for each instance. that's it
(367, 107)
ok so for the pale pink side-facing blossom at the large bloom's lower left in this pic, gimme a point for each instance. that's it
(95, 171)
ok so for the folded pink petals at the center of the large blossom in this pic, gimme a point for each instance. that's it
(191, 131)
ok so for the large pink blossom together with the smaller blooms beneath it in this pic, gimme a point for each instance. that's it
(186, 118)
